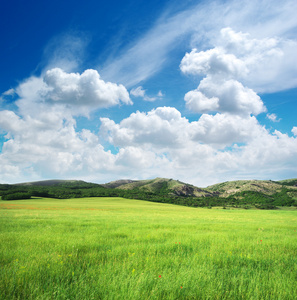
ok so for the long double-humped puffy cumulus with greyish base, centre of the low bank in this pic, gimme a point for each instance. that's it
(165, 128)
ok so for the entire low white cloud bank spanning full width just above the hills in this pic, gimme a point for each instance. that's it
(160, 143)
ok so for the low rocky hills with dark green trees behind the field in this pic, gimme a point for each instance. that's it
(238, 194)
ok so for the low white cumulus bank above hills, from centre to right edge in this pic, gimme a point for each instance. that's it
(219, 146)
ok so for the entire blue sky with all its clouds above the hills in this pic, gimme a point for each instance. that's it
(198, 91)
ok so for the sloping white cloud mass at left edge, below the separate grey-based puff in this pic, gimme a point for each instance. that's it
(49, 144)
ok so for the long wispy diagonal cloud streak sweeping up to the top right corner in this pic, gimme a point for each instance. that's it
(198, 27)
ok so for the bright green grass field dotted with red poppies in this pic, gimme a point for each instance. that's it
(112, 248)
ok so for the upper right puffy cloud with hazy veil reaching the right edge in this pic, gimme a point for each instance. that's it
(264, 65)
